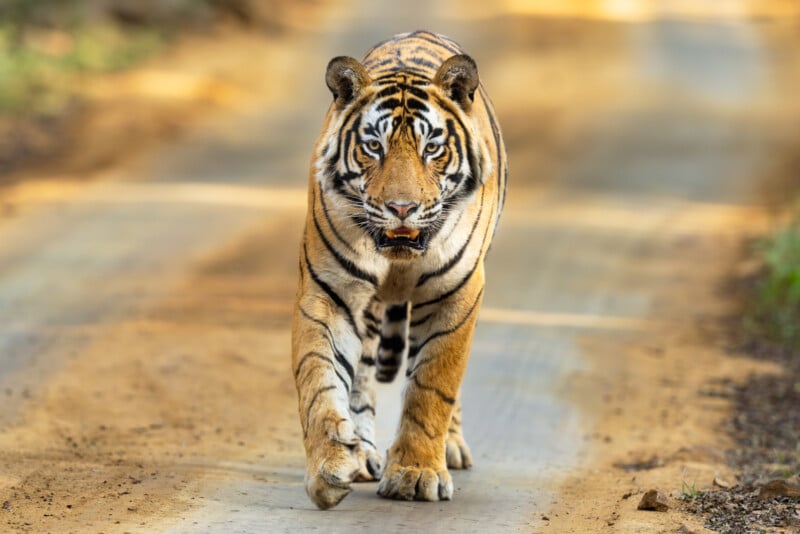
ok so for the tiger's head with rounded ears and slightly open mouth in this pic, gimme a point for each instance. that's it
(402, 153)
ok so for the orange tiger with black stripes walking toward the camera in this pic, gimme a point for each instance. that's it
(406, 185)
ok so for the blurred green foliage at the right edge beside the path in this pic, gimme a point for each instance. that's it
(776, 313)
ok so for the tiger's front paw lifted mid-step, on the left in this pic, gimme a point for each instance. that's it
(333, 466)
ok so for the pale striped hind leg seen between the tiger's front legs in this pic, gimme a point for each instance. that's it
(362, 398)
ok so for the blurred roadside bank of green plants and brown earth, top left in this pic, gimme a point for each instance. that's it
(53, 53)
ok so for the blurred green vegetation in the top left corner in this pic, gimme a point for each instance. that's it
(46, 46)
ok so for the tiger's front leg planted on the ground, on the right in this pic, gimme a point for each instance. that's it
(416, 465)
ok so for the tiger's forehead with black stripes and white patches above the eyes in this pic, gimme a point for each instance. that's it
(401, 99)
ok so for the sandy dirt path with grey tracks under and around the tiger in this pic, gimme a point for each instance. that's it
(144, 317)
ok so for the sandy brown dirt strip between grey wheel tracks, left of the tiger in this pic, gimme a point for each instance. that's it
(198, 387)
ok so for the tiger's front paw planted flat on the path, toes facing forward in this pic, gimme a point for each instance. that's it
(415, 483)
